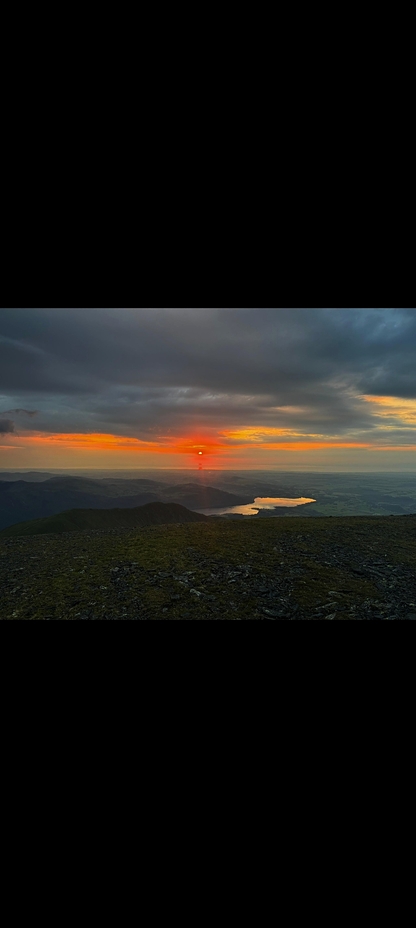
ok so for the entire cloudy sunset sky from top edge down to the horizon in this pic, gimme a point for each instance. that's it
(285, 389)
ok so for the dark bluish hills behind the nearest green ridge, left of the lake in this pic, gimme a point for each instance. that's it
(22, 500)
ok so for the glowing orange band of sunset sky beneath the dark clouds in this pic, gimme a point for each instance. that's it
(242, 447)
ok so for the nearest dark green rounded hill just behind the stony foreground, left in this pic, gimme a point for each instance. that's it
(78, 520)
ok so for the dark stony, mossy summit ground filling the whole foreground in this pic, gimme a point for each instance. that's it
(329, 568)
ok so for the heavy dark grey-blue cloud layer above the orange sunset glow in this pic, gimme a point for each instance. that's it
(142, 372)
